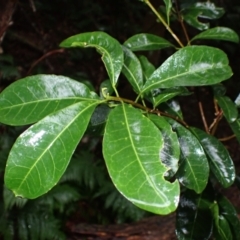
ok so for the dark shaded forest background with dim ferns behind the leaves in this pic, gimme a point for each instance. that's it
(29, 45)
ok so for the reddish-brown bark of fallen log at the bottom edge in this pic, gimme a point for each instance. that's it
(152, 228)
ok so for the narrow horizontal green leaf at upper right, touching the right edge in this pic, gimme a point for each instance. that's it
(218, 33)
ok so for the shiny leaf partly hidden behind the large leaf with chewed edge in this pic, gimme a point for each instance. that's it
(170, 152)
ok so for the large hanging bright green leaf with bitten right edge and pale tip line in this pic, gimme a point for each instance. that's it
(131, 147)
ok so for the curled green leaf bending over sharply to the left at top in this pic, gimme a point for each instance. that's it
(108, 47)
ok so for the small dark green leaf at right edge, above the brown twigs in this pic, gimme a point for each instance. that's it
(230, 111)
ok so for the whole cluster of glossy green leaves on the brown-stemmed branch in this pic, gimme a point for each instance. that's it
(152, 155)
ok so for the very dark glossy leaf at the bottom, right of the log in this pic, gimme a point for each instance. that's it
(193, 221)
